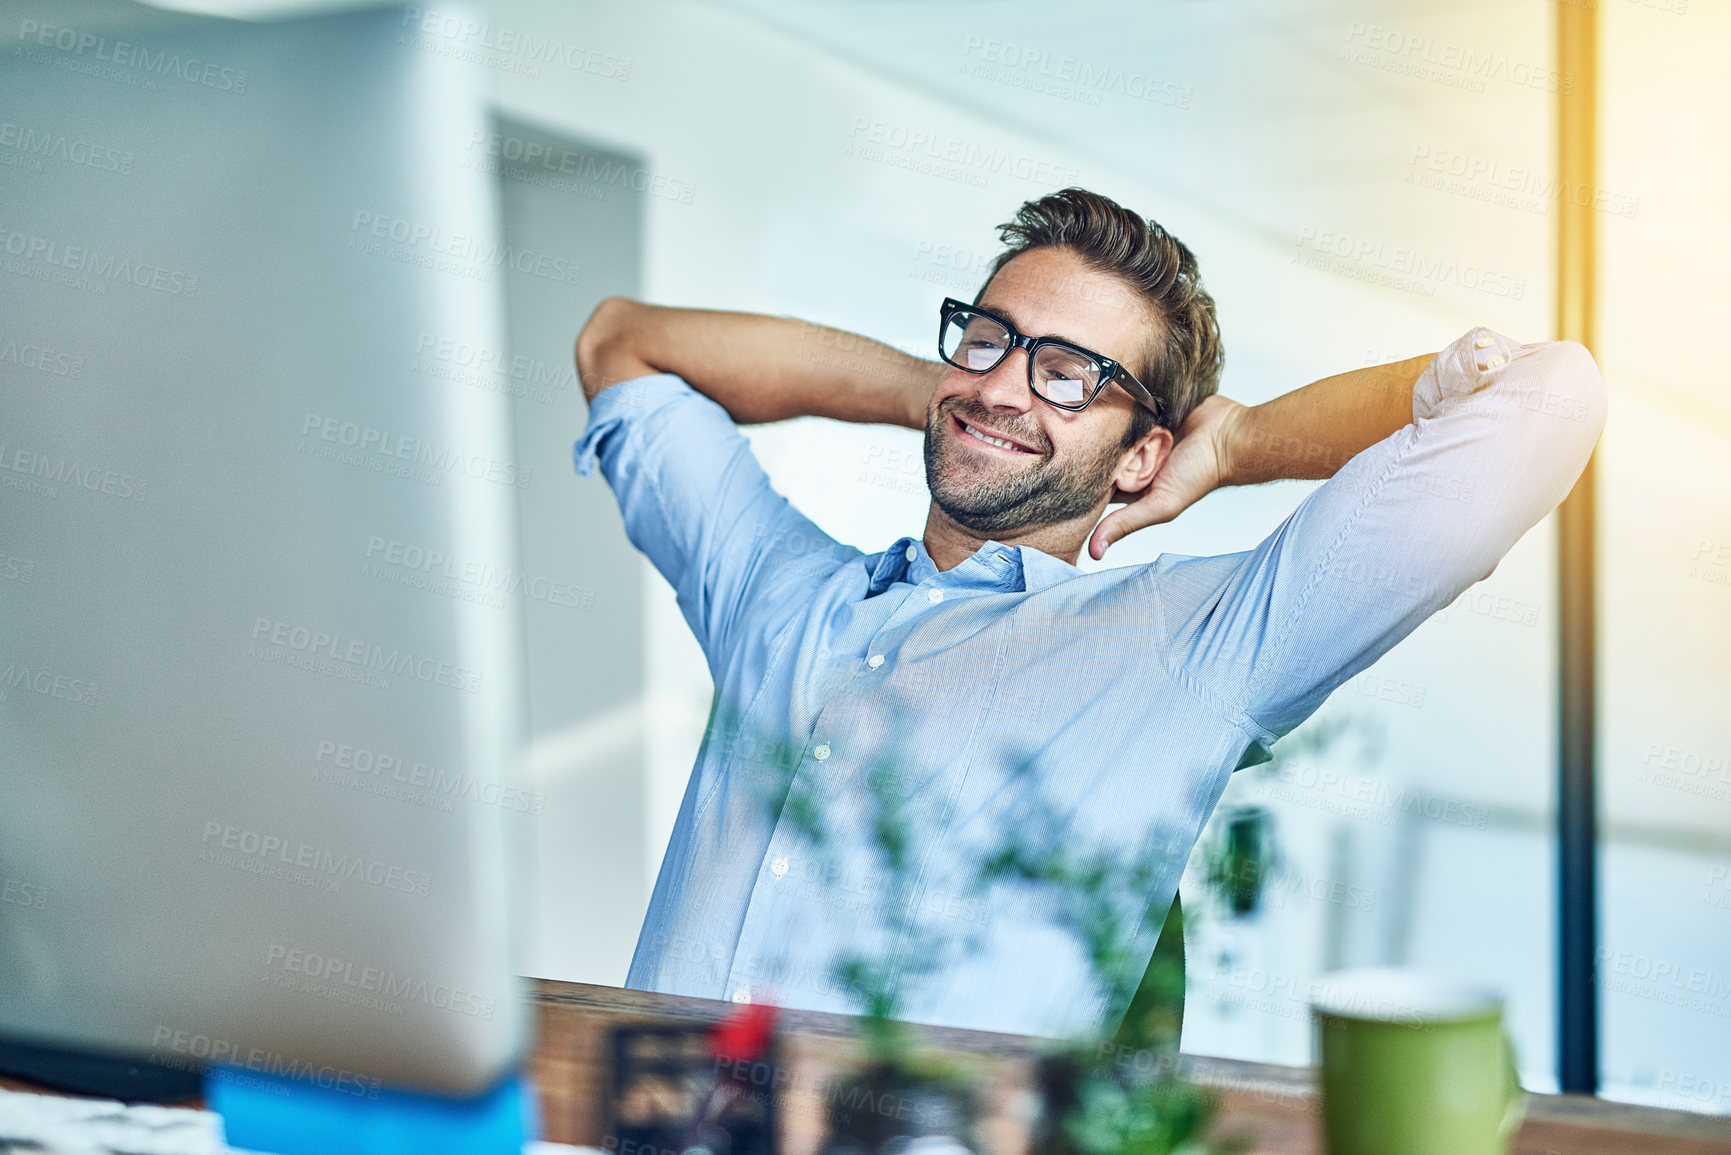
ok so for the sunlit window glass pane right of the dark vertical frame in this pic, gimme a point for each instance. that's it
(1666, 558)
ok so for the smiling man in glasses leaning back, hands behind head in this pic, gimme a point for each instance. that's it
(975, 671)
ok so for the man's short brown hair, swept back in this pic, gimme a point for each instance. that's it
(1181, 365)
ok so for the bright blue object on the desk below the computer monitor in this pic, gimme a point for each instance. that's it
(295, 1118)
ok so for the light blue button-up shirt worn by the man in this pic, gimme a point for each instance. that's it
(1119, 702)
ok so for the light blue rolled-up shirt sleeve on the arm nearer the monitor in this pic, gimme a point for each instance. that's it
(700, 507)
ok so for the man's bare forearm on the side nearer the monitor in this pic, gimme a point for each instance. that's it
(757, 368)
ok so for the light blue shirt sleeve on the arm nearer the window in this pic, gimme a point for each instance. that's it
(1500, 436)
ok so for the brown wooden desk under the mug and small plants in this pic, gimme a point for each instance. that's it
(1275, 1104)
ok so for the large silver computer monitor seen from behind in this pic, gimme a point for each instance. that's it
(261, 659)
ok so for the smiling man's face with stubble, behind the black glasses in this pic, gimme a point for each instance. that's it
(1064, 463)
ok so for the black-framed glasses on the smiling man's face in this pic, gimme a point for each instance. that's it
(1060, 373)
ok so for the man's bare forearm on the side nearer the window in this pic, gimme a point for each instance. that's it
(1316, 430)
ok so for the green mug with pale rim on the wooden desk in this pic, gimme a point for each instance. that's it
(1413, 1064)
